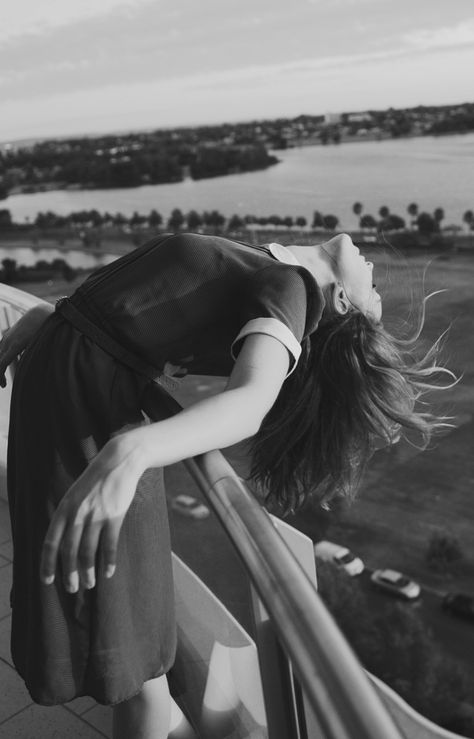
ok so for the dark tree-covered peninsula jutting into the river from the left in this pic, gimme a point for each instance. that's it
(126, 161)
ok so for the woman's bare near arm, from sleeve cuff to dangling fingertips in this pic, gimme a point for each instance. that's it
(89, 518)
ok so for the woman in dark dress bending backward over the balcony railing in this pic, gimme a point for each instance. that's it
(313, 378)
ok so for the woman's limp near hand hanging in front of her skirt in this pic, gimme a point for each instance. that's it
(86, 525)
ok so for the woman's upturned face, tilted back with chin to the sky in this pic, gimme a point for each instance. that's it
(355, 275)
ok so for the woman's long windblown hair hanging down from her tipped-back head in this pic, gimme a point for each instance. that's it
(355, 384)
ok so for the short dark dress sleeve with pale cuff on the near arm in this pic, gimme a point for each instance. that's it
(275, 303)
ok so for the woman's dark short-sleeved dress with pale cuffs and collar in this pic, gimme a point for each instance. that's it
(179, 303)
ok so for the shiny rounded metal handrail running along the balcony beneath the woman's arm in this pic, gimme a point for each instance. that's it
(340, 694)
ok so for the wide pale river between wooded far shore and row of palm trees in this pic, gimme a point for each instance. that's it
(433, 172)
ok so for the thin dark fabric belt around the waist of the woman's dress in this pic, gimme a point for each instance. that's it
(70, 312)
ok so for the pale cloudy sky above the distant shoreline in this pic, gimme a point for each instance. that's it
(72, 67)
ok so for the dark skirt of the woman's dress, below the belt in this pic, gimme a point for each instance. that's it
(69, 397)
